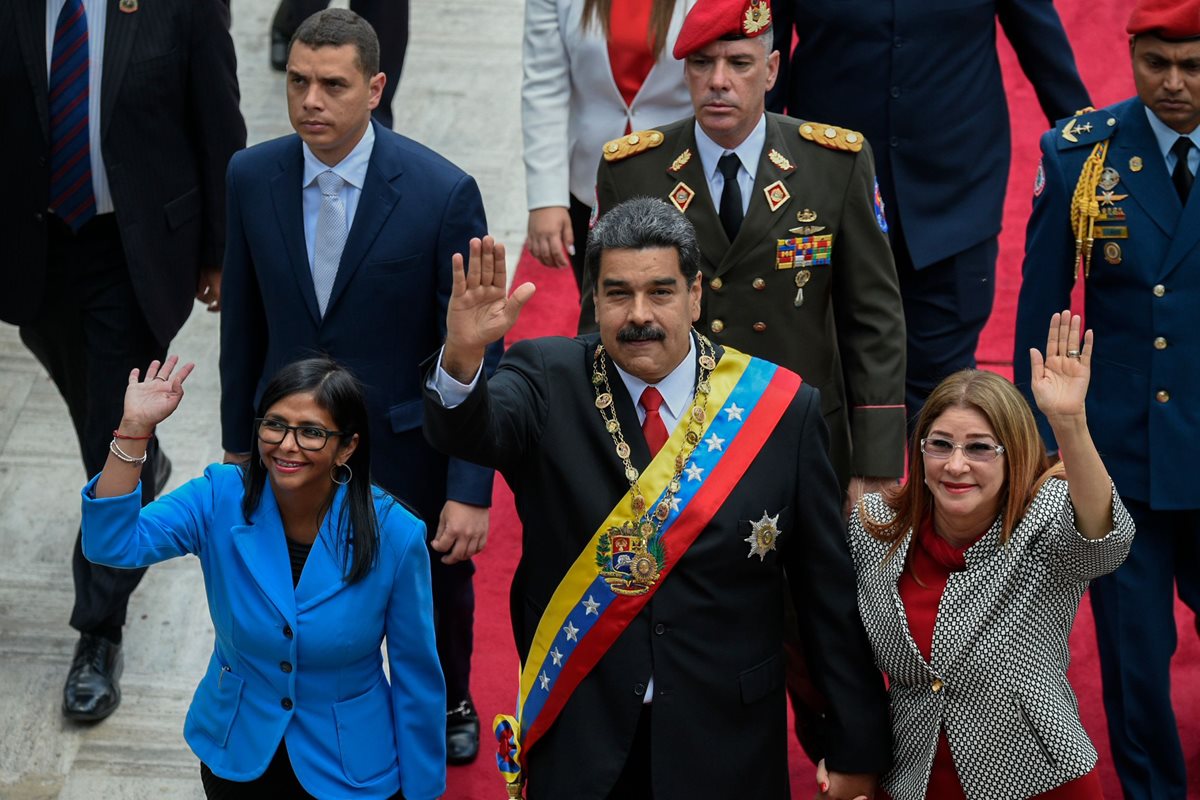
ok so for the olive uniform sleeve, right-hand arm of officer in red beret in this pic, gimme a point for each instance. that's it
(869, 320)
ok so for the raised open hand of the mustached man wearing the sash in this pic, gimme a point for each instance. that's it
(481, 311)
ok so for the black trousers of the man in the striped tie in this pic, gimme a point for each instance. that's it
(89, 334)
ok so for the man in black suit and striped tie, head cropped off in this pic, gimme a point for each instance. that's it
(121, 118)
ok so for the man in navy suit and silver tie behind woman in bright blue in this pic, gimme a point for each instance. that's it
(340, 242)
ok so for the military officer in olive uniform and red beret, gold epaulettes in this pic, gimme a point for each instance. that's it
(793, 234)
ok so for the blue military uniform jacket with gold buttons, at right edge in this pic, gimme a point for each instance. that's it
(1143, 300)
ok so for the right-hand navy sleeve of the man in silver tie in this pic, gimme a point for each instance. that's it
(463, 220)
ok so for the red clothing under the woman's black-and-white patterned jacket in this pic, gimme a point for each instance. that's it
(933, 560)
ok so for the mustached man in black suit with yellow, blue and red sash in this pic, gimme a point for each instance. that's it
(649, 604)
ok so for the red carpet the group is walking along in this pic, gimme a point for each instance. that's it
(1096, 29)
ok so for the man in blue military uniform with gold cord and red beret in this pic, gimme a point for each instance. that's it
(1121, 182)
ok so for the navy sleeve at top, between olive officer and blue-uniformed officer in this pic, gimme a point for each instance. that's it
(1043, 50)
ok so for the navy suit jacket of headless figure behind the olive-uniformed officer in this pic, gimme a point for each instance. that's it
(922, 82)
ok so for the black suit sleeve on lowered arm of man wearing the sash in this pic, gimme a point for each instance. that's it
(857, 732)
